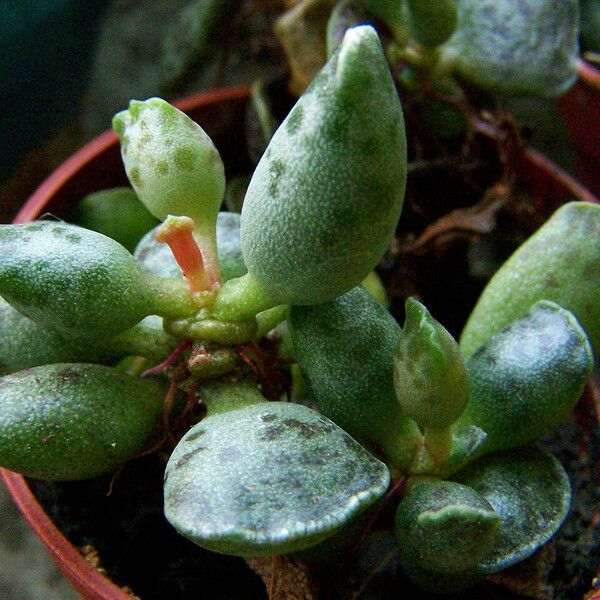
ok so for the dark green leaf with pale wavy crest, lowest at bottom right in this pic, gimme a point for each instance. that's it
(445, 526)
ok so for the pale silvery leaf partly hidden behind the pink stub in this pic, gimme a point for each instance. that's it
(157, 258)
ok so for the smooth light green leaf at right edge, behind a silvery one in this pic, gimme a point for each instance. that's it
(560, 262)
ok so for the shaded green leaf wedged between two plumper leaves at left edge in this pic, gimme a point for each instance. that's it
(25, 344)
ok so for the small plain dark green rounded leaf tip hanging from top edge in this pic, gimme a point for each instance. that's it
(431, 22)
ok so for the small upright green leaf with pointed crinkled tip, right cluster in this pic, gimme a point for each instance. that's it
(430, 375)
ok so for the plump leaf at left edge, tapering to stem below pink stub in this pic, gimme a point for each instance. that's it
(79, 282)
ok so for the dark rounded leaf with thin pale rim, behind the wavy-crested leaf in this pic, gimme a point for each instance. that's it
(530, 491)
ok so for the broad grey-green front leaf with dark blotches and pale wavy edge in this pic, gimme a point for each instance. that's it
(268, 479)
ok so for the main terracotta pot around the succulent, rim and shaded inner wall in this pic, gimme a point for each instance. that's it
(98, 165)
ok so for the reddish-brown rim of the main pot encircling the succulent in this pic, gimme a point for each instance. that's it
(83, 575)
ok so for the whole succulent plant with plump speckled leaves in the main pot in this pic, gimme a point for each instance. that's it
(452, 426)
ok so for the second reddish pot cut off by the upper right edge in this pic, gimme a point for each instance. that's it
(580, 110)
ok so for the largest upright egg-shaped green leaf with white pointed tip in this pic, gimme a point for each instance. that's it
(326, 196)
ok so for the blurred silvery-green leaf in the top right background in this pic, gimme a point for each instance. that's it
(529, 46)
